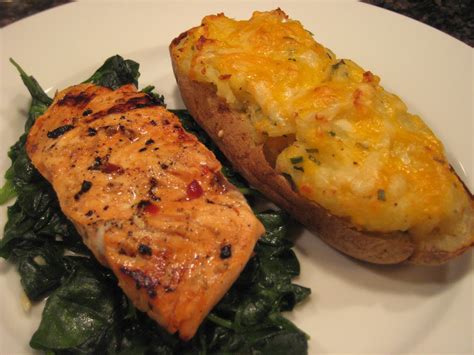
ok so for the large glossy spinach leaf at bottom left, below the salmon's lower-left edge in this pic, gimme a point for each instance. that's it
(79, 314)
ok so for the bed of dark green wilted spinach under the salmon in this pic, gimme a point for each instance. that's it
(86, 312)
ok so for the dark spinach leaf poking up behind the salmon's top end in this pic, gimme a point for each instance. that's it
(116, 72)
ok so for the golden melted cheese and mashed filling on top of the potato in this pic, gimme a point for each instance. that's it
(357, 151)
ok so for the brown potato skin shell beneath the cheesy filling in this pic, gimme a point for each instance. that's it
(233, 133)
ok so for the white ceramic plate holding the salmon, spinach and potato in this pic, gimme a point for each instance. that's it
(355, 307)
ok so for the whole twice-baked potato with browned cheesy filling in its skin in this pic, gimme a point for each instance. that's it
(321, 138)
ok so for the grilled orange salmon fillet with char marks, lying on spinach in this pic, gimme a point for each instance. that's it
(147, 198)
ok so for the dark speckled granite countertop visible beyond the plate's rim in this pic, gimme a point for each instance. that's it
(453, 17)
